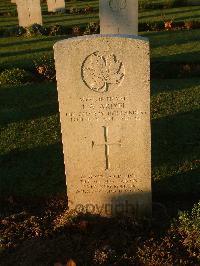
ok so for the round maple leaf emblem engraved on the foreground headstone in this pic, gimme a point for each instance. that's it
(100, 72)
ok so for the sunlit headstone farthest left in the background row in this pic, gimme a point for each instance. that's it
(29, 12)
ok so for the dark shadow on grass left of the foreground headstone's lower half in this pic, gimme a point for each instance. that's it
(32, 173)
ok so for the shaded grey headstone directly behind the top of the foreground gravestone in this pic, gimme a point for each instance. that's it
(119, 17)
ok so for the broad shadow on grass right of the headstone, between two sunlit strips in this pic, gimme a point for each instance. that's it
(175, 139)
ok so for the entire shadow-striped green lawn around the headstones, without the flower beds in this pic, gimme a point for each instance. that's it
(31, 160)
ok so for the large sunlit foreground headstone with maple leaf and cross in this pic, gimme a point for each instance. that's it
(104, 101)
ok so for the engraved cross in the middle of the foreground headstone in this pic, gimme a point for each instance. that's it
(107, 145)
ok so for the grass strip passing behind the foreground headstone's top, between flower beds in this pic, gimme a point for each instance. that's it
(178, 46)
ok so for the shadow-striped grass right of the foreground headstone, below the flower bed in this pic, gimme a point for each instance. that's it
(175, 136)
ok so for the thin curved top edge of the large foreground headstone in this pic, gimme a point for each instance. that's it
(95, 36)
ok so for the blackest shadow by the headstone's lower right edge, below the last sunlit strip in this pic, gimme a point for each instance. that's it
(175, 193)
